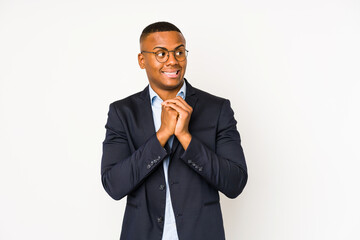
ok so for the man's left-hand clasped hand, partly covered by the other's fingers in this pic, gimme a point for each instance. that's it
(168, 123)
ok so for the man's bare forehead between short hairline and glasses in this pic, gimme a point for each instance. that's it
(163, 39)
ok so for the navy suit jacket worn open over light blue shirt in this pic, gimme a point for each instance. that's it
(132, 166)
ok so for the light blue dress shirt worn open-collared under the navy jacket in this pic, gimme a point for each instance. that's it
(170, 232)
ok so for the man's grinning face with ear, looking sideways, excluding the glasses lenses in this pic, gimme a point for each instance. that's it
(169, 75)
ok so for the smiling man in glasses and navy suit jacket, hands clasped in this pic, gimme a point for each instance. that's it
(171, 148)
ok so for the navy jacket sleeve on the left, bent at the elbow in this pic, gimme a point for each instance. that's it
(122, 171)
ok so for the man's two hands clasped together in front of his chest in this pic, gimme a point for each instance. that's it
(175, 118)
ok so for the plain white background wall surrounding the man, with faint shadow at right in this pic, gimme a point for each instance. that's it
(290, 69)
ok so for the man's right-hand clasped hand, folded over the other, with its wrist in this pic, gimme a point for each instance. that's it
(182, 125)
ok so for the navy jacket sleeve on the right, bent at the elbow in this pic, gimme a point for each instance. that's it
(225, 169)
